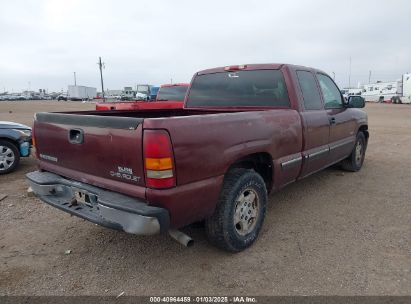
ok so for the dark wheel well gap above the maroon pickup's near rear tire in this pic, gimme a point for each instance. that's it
(261, 162)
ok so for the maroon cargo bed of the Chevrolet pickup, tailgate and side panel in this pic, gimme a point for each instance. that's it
(205, 144)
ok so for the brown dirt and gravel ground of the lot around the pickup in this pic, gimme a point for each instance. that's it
(334, 233)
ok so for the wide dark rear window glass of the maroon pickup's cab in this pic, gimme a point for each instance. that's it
(239, 88)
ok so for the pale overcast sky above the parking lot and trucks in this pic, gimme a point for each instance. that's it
(43, 42)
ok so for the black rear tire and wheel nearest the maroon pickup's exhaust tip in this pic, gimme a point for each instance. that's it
(221, 229)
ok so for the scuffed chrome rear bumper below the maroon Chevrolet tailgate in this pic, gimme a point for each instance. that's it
(106, 208)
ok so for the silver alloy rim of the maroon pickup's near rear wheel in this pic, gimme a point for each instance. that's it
(246, 212)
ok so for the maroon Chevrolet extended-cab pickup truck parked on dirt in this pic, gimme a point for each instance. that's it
(244, 131)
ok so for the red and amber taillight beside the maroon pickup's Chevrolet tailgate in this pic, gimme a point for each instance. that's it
(158, 159)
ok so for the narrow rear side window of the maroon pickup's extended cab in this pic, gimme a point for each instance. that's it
(311, 95)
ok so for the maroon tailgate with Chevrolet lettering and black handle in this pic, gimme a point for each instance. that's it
(101, 150)
